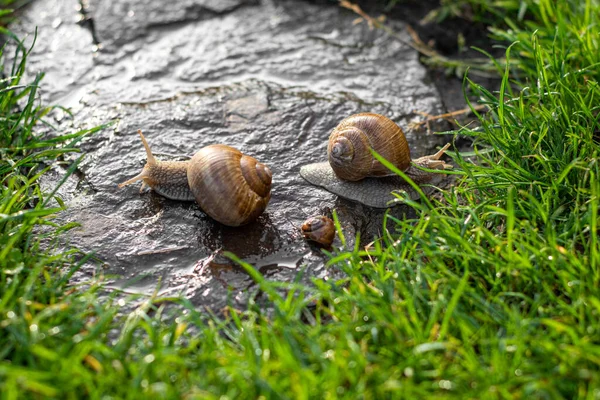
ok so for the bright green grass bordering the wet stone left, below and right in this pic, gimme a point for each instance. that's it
(491, 292)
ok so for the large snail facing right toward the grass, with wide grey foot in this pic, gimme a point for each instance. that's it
(353, 173)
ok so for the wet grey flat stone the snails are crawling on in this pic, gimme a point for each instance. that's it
(269, 78)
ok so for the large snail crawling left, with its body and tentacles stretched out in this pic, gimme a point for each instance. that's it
(231, 187)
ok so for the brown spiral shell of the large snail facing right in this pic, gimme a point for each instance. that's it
(350, 143)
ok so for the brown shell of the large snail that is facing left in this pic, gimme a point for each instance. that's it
(231, 187)
